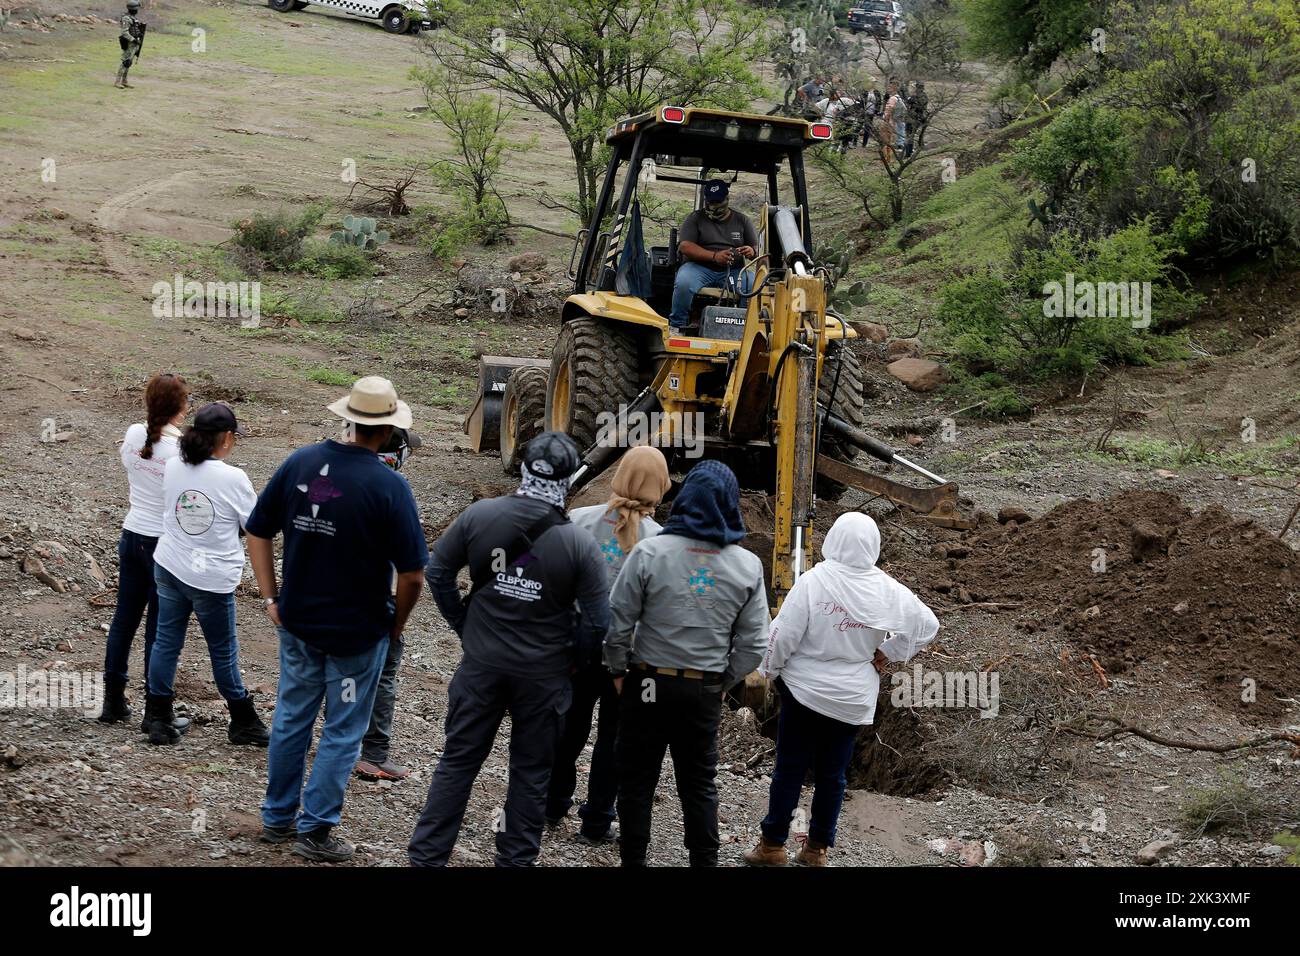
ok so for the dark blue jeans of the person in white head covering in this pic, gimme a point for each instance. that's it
(807, 739)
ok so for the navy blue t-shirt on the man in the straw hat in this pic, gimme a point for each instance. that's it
(348, 521)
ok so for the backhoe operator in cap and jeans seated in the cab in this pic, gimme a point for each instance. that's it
(714, 243)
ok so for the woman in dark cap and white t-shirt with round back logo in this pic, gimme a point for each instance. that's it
(198, 566)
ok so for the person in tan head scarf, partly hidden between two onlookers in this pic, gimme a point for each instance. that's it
(618, 526)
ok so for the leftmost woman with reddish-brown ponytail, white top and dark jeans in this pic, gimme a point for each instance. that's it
(146, 451)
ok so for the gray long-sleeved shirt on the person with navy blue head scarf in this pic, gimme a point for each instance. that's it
(681, 603)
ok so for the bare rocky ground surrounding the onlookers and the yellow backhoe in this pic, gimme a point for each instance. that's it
(150, 180)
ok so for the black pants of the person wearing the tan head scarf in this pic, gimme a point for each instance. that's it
(592, 685)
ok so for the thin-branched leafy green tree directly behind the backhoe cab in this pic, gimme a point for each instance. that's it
(587, 63)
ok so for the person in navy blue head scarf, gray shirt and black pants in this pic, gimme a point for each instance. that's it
(690, 621)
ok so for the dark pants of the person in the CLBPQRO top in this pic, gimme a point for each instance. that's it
(478, 702)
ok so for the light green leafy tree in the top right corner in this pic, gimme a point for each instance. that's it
(1212, 93)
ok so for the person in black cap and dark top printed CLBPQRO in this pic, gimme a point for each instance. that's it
(530, 566)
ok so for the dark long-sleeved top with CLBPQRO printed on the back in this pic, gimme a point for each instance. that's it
(522, 621)
